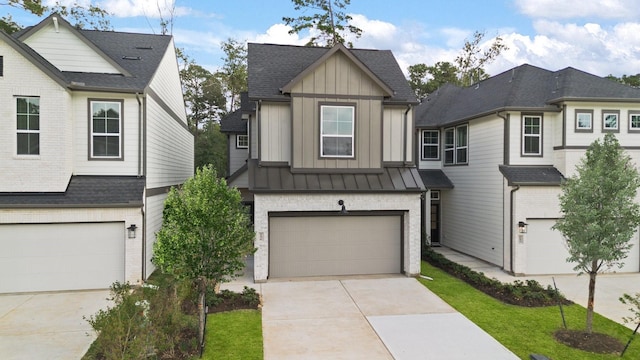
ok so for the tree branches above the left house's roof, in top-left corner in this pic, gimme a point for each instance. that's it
(79, 15)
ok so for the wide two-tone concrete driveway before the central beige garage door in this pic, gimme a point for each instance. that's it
(369, 318)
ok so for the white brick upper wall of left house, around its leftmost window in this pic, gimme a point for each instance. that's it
(51, 169)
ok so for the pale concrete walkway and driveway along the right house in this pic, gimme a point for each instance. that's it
(609, 287)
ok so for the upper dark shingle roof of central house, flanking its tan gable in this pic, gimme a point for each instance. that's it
(271, 67)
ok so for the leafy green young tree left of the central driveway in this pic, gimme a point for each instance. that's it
(205, 233)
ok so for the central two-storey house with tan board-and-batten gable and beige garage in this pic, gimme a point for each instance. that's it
(331, 169)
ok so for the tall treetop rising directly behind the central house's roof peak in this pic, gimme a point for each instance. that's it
(330, 21)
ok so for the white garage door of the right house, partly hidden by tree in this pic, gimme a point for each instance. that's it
(547, 253)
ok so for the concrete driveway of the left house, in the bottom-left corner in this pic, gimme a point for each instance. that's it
(48, 325)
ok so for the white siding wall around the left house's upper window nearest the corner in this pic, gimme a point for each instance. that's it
(81, 114)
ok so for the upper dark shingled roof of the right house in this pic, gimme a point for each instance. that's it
(524, 88)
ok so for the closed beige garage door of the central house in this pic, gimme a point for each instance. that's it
(334, 245)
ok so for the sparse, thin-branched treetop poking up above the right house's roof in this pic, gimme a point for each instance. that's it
(472, 60)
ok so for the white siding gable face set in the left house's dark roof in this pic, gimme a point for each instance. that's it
(67, 52)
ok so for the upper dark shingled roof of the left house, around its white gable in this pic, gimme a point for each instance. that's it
(138, 55)
